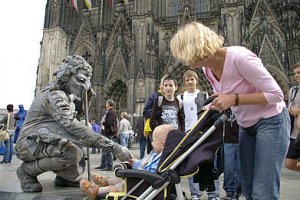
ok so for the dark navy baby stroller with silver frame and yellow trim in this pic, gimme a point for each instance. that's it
(181, 156)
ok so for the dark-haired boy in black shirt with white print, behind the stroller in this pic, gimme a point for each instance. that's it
(168, 109)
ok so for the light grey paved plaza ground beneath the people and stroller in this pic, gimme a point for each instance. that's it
(10, 187)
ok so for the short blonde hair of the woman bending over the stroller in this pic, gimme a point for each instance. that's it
(194, 42)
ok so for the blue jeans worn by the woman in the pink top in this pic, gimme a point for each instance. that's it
(263, 148)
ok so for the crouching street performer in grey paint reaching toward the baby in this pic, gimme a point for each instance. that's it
(52, 138)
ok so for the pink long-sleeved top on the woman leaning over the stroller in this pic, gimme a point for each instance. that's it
(244, 73)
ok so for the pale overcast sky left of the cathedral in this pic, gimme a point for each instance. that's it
(21, 32)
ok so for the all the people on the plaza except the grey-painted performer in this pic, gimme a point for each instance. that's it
(259, 138)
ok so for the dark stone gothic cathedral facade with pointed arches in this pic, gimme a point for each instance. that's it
(127, 42)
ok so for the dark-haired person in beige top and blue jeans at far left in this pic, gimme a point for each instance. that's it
(9, 119)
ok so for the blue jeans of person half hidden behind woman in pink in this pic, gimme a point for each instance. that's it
(232, 171)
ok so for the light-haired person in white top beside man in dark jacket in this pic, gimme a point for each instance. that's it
(124, 129)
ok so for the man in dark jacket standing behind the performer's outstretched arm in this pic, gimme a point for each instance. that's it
(110, 124)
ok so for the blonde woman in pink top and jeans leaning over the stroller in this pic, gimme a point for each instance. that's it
(241, 82)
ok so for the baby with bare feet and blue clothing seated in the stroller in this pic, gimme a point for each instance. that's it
(105, 184)
